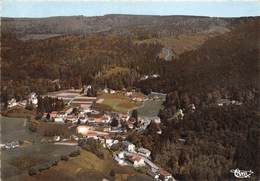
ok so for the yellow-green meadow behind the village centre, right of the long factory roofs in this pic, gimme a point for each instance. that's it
(116, 102)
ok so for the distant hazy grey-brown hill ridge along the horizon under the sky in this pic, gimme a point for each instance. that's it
(113, 22)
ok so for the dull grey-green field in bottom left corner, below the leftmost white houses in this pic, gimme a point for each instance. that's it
(17, 162)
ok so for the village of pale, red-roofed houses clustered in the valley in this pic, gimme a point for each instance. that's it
(108, 127)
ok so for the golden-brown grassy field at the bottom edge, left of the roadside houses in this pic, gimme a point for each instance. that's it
(86, 166)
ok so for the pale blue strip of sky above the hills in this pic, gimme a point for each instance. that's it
(41, 8)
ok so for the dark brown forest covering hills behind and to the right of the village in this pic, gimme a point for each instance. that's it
(222, 64)
